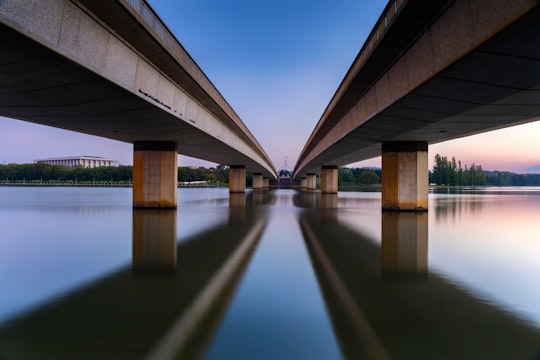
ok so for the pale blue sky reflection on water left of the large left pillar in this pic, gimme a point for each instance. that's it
(55, 239)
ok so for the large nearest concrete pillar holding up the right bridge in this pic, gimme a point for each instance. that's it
(405, 176)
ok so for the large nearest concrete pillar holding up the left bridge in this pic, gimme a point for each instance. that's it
(155, 174)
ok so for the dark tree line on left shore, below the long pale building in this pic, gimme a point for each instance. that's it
(46, 173)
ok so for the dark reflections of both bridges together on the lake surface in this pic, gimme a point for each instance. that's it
(382, 300)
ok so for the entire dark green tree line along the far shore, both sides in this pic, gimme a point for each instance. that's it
(445, 172)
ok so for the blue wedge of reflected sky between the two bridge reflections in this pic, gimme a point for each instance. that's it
(278, 312)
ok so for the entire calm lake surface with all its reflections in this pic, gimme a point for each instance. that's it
(277, 274)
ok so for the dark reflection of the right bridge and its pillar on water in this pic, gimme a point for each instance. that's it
(384, 302)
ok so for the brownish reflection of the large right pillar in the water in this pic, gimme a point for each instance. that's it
(404, 247)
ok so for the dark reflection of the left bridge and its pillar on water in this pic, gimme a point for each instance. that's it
(129, 315)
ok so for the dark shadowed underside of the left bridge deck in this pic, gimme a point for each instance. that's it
(41, 86)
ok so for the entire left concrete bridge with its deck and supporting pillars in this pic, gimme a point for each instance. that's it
(113, 69)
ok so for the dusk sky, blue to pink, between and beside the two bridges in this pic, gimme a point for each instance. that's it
(278, 64)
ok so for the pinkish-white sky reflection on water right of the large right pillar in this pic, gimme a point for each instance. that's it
(490, 244)
